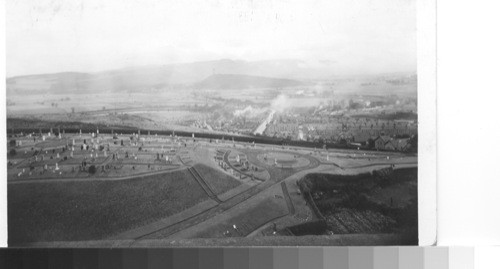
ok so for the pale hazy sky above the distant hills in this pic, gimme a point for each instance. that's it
(350, 36)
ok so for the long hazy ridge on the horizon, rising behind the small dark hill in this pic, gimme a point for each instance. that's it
(199, 74)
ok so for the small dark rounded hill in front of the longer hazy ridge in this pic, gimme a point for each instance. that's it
(235, 81)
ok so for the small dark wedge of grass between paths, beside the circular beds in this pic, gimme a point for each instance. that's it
(219, 181)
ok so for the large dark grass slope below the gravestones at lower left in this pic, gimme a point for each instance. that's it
(96, 209)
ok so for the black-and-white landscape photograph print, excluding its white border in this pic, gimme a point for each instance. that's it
(212, 123)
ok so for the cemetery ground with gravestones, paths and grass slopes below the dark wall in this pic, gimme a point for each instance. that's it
(80, 187)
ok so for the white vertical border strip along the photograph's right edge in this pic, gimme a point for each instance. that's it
(427, 122)
